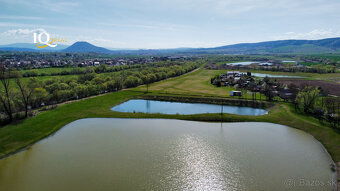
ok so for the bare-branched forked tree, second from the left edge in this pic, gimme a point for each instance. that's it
(26, 90)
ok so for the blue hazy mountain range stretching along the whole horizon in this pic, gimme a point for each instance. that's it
(330, 45)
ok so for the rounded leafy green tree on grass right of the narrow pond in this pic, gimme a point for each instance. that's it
(307, 98)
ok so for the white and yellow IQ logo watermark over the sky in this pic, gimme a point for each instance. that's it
(43, 40)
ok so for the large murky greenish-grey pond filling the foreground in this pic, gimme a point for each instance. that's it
(161, 154)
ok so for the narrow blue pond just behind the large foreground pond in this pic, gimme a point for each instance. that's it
(166, 107)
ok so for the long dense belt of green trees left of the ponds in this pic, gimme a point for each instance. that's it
(18, 95)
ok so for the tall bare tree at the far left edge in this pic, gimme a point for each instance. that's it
(6, 92)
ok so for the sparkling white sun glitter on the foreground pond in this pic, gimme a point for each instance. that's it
(201, 165)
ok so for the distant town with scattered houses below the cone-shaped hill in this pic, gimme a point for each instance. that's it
(46, 60)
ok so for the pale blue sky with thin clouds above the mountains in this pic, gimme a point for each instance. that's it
(169, 23)
